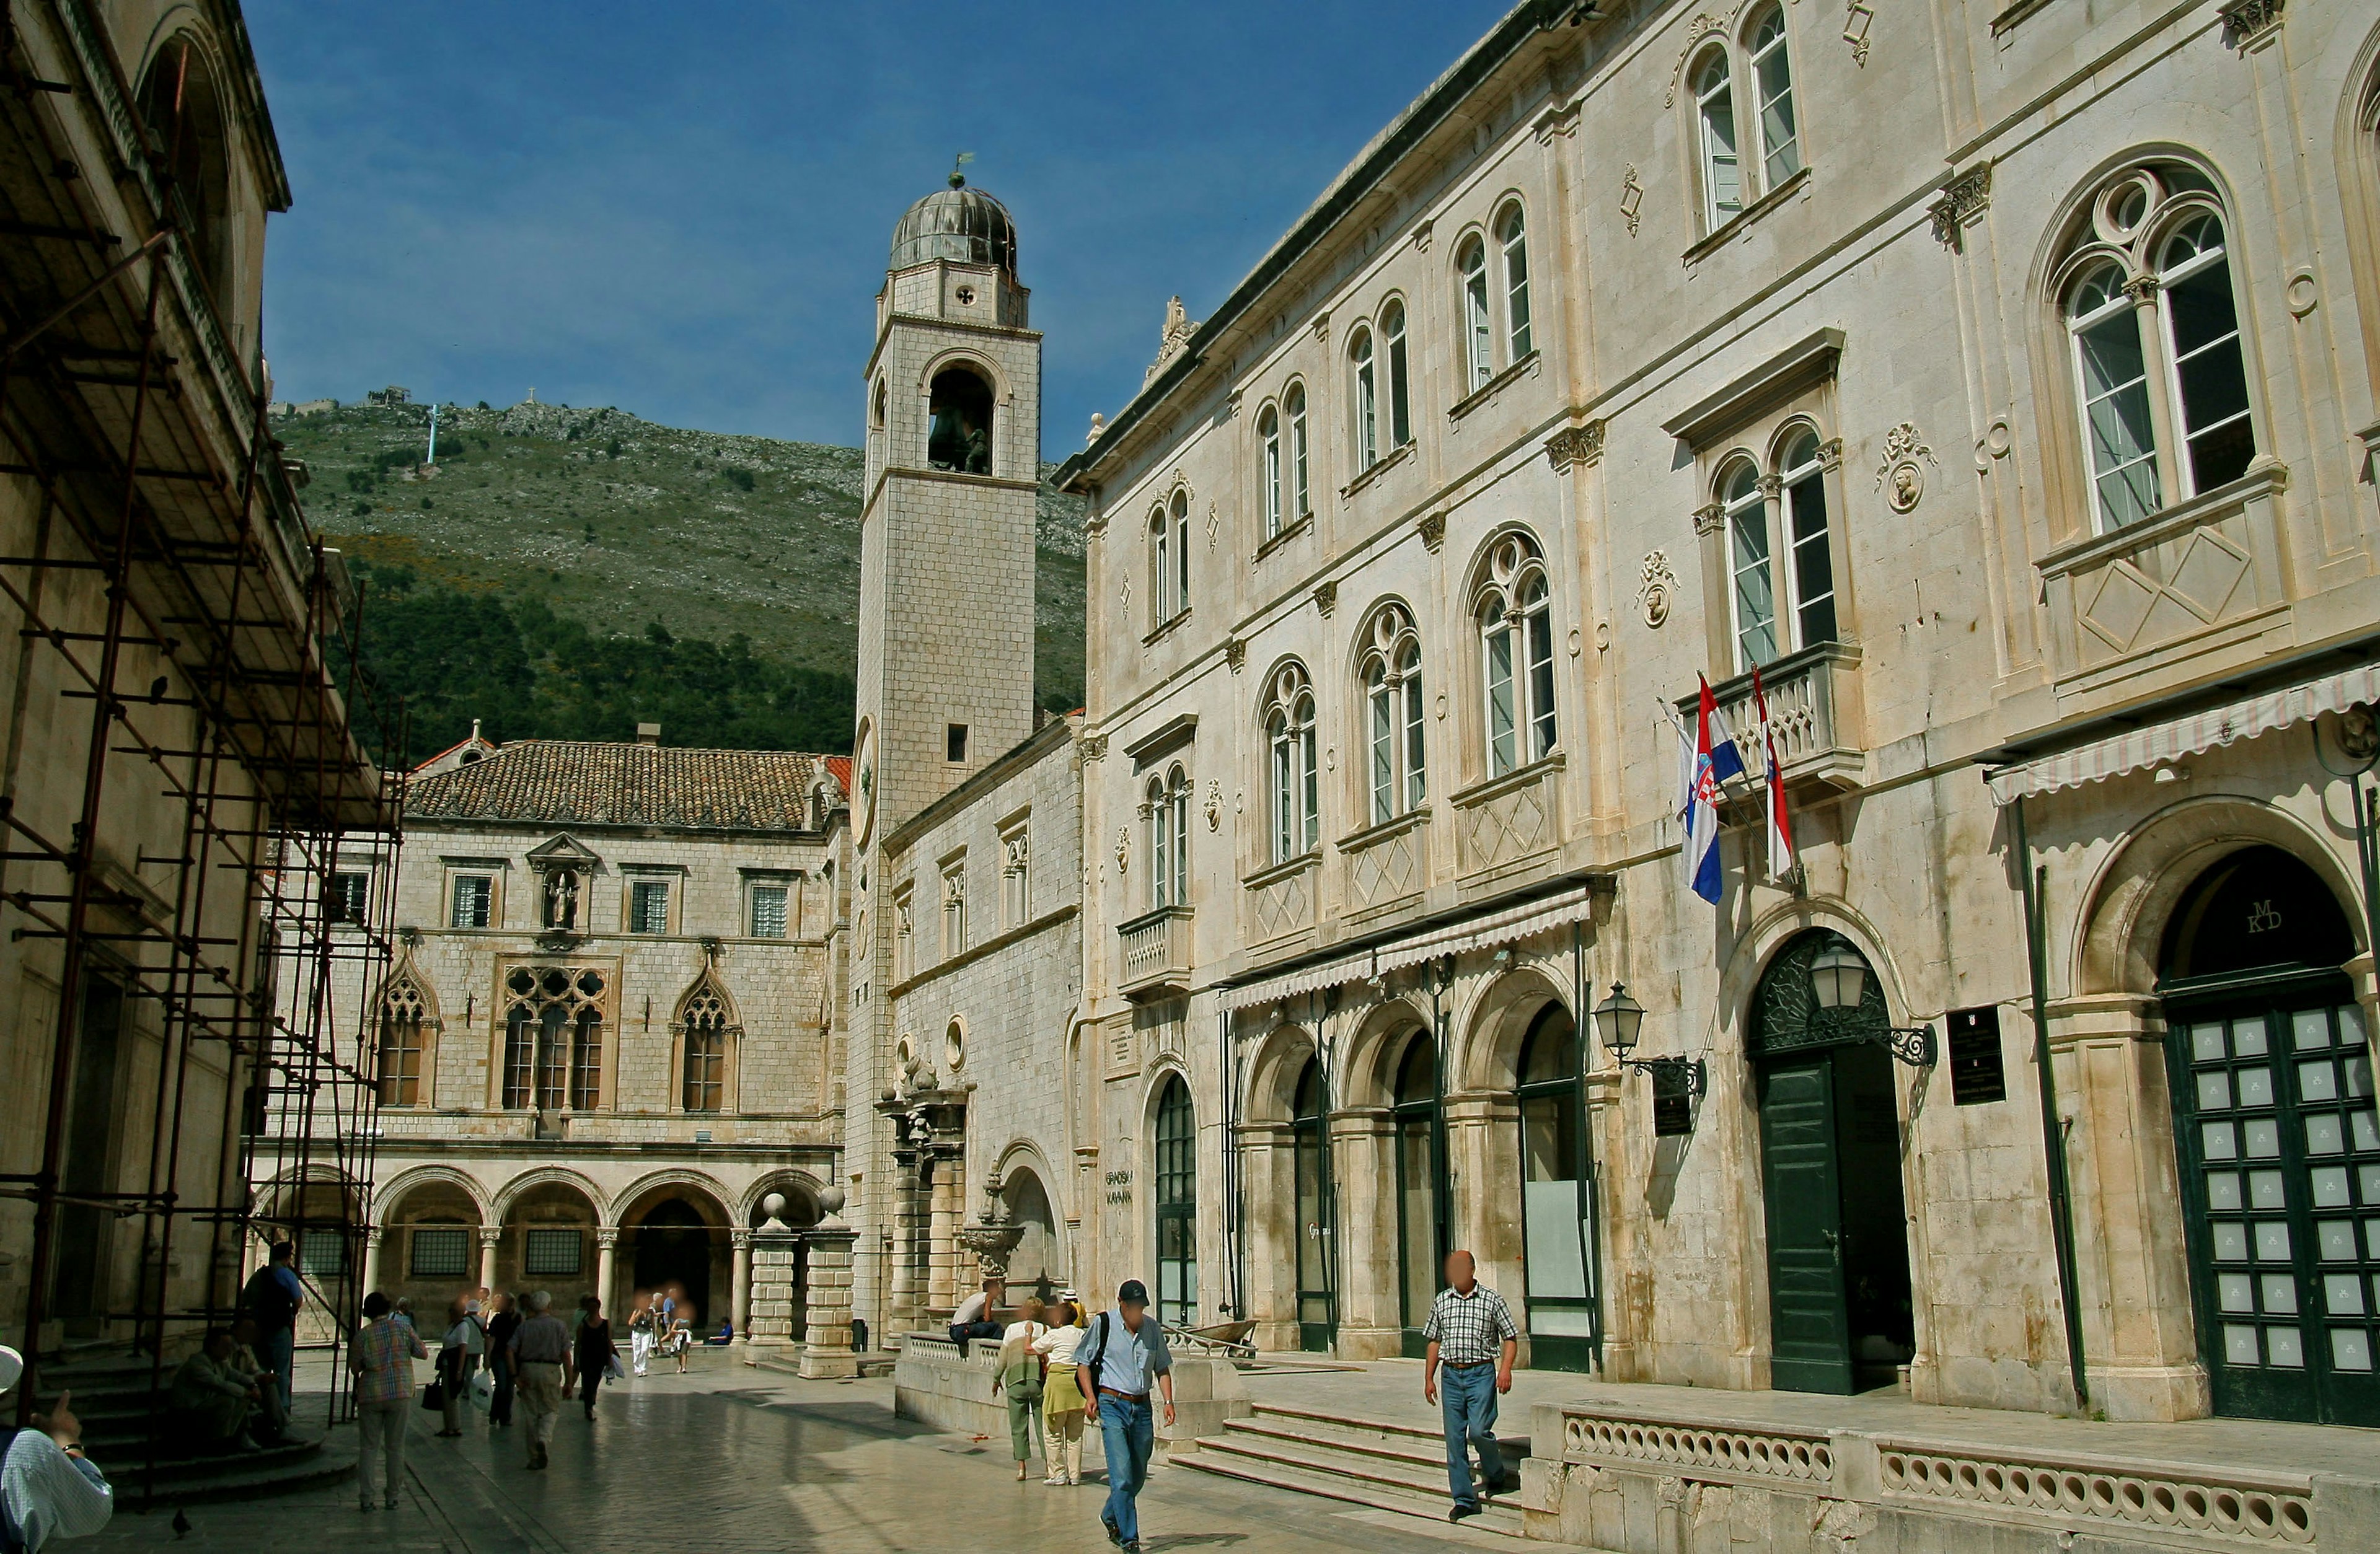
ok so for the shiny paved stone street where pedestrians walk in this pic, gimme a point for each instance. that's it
(744, 1460)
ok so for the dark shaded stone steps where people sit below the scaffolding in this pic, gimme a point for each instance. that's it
(118, 1405)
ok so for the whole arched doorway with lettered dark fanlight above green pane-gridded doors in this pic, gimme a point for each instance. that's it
(2276, 1141)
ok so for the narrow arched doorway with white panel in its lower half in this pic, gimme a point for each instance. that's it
(1558, 1198)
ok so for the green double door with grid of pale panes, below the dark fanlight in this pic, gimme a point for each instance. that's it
(2281, 1172)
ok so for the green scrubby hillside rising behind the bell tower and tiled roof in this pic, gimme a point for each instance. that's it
(575, 572)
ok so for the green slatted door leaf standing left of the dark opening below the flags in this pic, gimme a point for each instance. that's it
(1808, 1312)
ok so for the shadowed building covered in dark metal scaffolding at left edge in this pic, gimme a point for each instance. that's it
(184, 803)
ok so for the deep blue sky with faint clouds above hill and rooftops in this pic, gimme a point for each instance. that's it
(684, 208)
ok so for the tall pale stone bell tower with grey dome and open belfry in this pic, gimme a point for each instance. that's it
(946, 532)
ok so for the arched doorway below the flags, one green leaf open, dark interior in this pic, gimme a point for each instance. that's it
(1831, 1172)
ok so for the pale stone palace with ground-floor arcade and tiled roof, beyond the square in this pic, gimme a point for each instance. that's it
(613, 1022)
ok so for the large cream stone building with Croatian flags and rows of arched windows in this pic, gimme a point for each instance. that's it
(1996, 387)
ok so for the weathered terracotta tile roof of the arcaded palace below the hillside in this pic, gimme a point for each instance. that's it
(603, 784)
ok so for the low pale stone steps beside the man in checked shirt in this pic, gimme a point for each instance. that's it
(1358, 1460)
